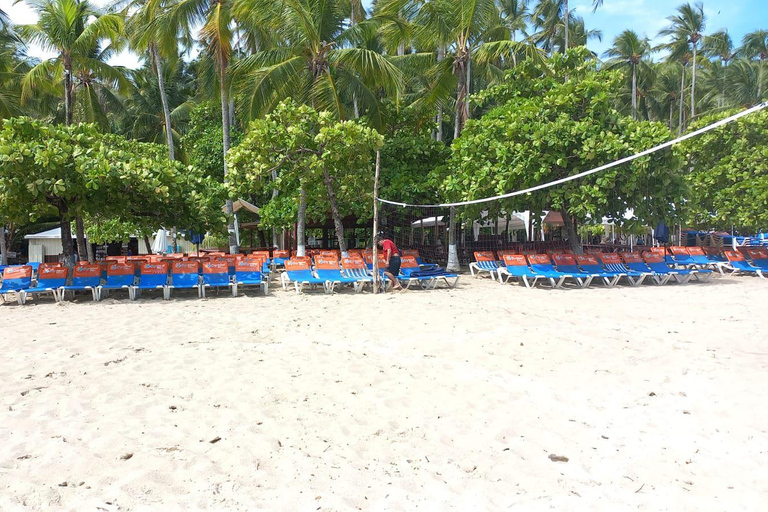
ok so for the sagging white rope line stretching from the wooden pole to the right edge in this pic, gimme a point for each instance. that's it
(665, 145)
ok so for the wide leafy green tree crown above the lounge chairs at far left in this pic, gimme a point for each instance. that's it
(121, 185)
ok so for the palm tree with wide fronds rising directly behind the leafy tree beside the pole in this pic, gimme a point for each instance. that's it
(313, 60)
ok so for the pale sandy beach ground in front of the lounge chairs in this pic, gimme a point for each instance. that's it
(439, 400)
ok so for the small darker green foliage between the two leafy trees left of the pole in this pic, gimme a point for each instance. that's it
(203, 141)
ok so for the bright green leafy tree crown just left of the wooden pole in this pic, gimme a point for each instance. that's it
(298, 143)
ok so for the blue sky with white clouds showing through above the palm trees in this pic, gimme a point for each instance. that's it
(646, 17)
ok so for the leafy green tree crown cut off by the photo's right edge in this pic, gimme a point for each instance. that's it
(728, 174)
